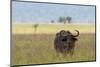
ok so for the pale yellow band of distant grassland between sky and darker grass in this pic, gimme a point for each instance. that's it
(52, 28)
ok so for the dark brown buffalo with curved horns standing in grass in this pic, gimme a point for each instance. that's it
(65, 42)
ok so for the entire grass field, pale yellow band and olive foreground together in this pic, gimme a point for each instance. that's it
(30, 48)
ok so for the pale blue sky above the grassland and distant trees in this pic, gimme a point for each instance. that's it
(24, 12)
